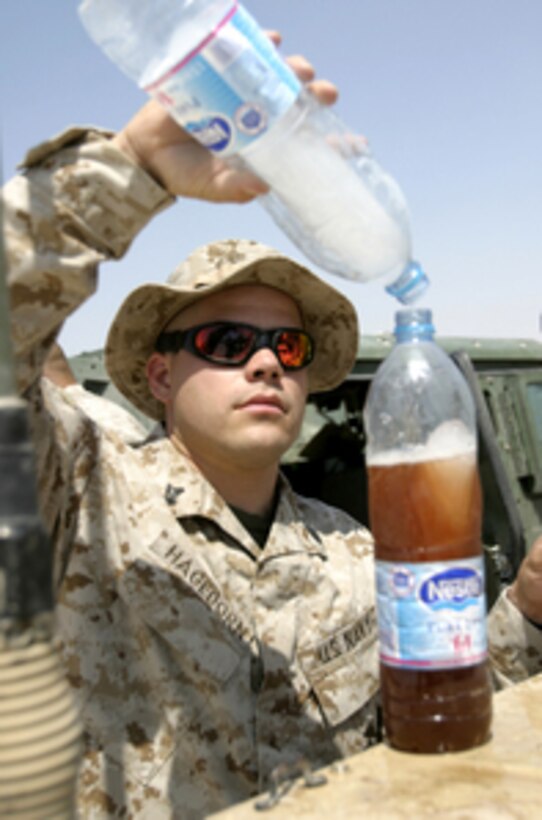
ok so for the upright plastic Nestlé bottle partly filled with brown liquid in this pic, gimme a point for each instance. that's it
(425, 513)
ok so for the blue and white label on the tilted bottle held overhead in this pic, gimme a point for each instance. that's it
(231, 88)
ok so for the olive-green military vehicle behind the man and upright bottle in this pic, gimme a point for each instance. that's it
(327, 461)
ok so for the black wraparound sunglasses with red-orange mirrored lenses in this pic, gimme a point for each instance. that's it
(233, 343)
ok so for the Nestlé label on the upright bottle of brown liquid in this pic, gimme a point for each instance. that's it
(431, 615)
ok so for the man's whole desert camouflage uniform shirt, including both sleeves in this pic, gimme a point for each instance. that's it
(199, 661)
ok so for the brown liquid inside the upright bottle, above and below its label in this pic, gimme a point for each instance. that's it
(421, 512)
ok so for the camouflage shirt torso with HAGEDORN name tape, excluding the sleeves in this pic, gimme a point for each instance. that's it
(200, 662)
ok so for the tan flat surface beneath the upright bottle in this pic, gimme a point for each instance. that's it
(502, 779)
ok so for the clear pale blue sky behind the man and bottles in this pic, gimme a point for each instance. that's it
(449, 93)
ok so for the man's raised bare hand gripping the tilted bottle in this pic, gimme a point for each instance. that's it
(183, 166)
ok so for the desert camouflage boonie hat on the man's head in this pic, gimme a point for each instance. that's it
(327, 315)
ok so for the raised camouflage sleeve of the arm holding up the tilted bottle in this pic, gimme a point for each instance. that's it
(77, 202)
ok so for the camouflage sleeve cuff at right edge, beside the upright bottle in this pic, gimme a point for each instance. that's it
(515, 645)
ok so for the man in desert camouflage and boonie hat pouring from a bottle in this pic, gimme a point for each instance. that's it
(213, 624)
